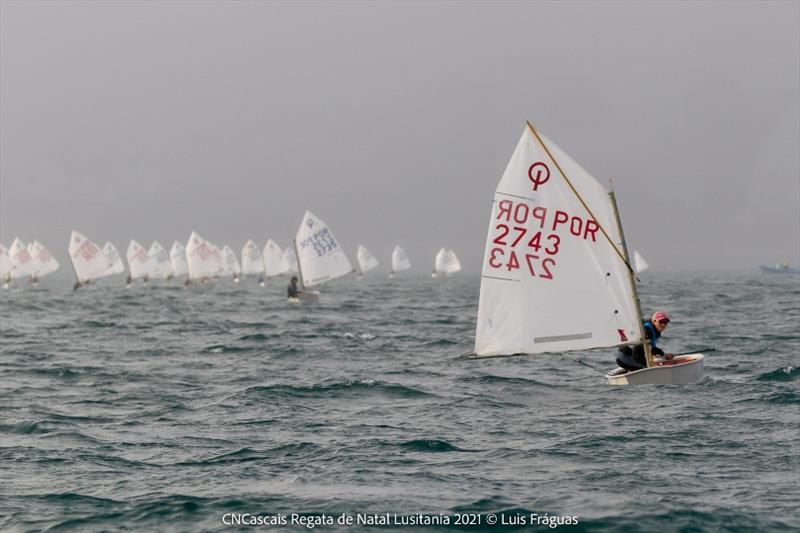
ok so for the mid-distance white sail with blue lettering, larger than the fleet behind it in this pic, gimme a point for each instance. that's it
(320, 258)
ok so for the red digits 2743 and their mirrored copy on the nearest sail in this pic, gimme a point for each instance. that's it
(536, 265)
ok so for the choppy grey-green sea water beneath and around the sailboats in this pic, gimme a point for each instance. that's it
(160, 408)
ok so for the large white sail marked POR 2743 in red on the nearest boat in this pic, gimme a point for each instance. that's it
(551, 280)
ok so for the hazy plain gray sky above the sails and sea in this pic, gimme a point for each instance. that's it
(393, 122)
